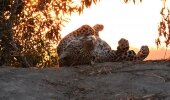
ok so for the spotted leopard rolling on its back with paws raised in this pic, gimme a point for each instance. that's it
(84, 46)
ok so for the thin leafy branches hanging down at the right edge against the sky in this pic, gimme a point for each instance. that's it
(164, 25)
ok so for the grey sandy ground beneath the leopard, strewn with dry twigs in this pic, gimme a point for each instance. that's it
(149, 80)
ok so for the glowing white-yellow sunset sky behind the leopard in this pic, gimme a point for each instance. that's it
(137, 23)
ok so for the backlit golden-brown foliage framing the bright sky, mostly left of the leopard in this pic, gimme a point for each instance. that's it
(30, 29)
